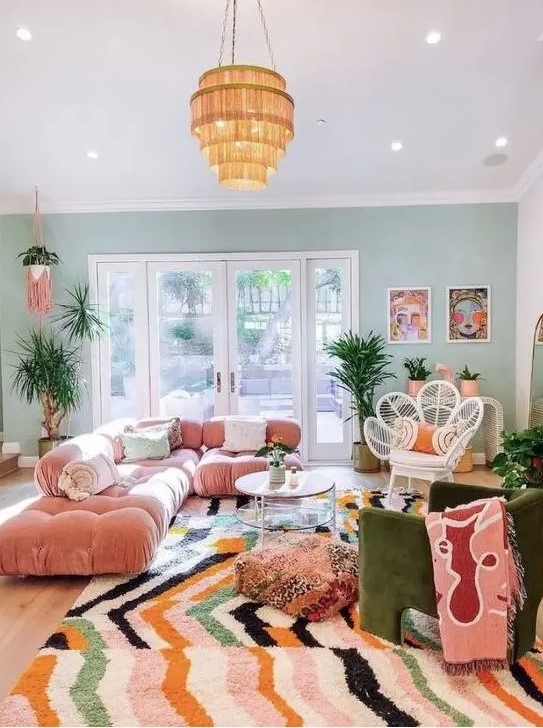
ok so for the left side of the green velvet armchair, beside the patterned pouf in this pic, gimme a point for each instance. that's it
(395, 570)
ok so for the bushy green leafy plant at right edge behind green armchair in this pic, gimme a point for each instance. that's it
(521, 462)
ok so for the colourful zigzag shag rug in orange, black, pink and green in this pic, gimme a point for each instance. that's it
(178, 646)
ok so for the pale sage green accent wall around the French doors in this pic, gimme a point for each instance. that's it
(399, 246)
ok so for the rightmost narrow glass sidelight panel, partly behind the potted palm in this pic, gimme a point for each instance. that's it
(328, 316)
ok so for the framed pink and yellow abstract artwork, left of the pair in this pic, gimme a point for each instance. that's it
(409, 315)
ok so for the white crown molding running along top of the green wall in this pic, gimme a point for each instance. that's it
(248, 202)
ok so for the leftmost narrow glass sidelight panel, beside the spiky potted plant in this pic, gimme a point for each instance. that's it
(123, 355)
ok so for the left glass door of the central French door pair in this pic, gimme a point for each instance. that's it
(187, 350)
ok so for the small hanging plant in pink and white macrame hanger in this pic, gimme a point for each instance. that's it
(38, 260)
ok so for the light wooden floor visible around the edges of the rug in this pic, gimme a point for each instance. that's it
(31, 608)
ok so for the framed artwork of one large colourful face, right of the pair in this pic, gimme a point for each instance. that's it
(468, 314)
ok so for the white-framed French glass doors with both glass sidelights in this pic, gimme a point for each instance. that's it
(198, 338)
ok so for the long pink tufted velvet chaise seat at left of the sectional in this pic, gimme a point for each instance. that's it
(116, 532)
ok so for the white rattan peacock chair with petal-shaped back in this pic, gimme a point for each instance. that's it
(438, 403)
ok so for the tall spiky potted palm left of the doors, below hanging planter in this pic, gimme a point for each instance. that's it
(49, 364)
